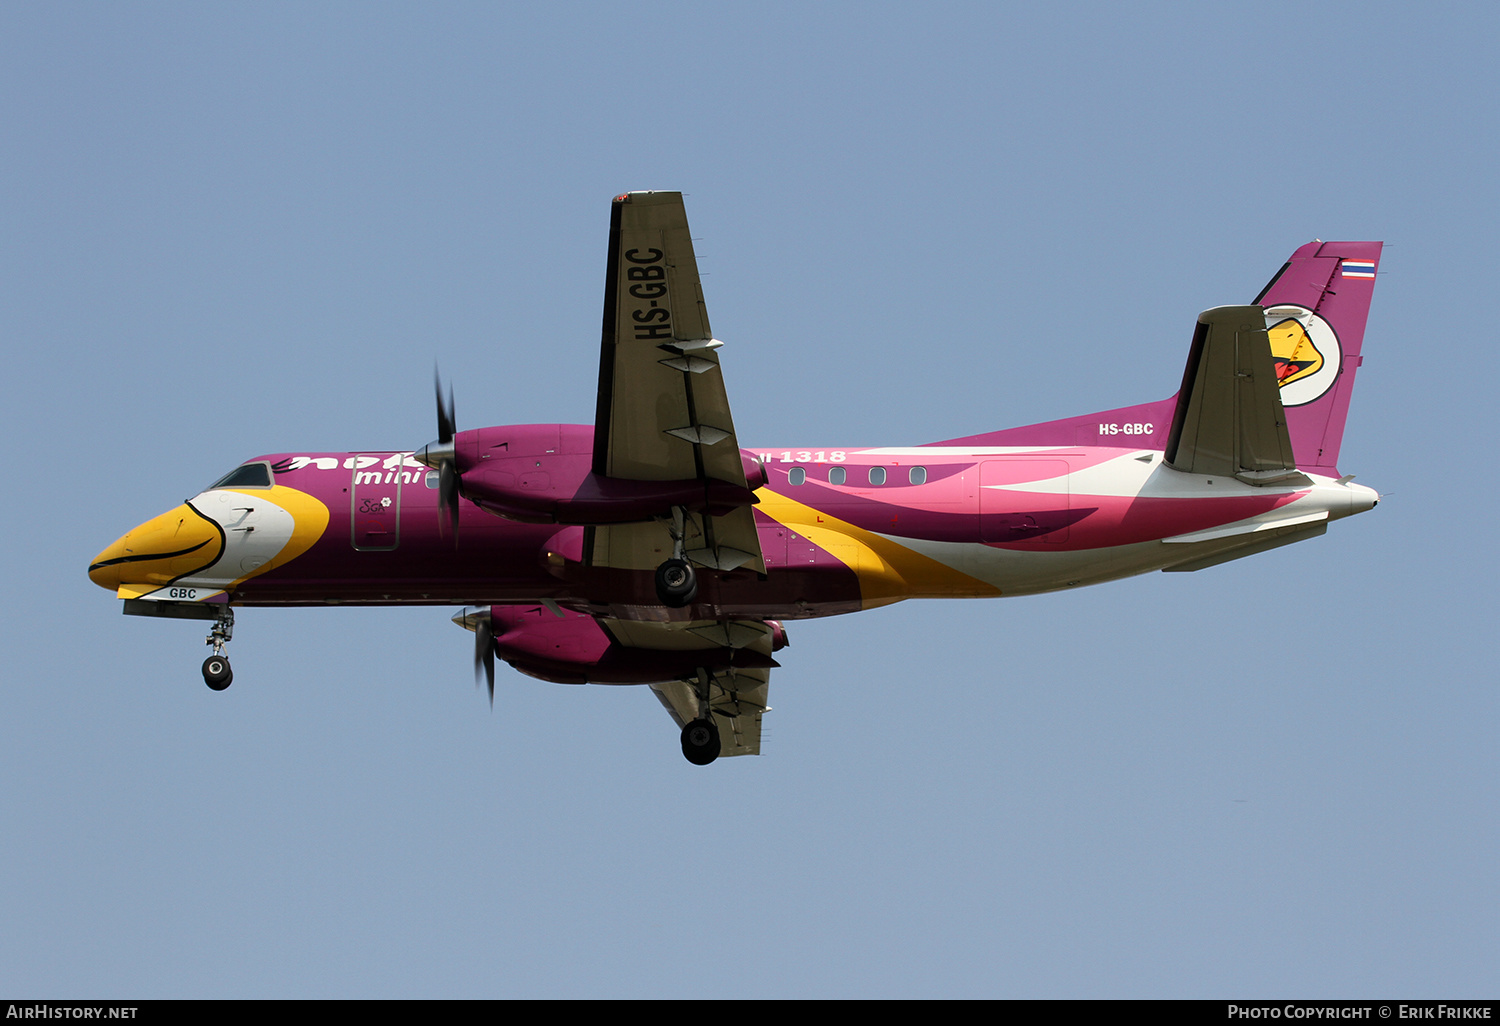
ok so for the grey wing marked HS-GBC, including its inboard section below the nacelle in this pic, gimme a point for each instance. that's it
(664, 413)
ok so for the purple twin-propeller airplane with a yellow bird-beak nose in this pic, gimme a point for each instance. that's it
(653, 548)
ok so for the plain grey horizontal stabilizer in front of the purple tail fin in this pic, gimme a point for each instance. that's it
(1229, 418)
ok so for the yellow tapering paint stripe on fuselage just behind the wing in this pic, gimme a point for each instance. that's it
(889, 572)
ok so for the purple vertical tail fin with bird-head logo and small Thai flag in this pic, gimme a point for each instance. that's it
(1316, 310)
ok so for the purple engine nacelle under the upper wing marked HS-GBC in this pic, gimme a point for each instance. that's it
(545, 475)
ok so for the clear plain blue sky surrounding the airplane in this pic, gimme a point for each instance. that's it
(238, 230)
